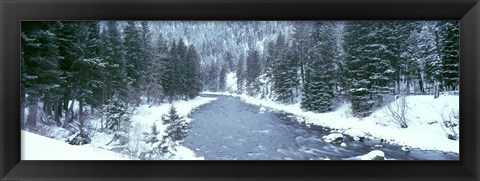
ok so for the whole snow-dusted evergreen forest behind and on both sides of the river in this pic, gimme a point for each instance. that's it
(73, 71)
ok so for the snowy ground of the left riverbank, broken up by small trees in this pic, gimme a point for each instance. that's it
(36, 147)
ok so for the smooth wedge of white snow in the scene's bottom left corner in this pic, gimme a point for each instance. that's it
(36, 147)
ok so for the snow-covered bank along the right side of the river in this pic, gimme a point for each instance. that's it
(423, 113)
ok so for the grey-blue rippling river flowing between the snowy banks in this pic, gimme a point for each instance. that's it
(229, 129)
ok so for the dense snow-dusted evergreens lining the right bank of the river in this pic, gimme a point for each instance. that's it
(363, 61)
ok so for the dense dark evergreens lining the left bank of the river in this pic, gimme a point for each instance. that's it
(102, 66)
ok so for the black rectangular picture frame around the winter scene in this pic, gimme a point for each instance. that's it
(14, 11)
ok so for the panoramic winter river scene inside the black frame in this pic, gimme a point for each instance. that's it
(240, 90)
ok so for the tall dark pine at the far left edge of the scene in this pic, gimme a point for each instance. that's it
(40, 65)
